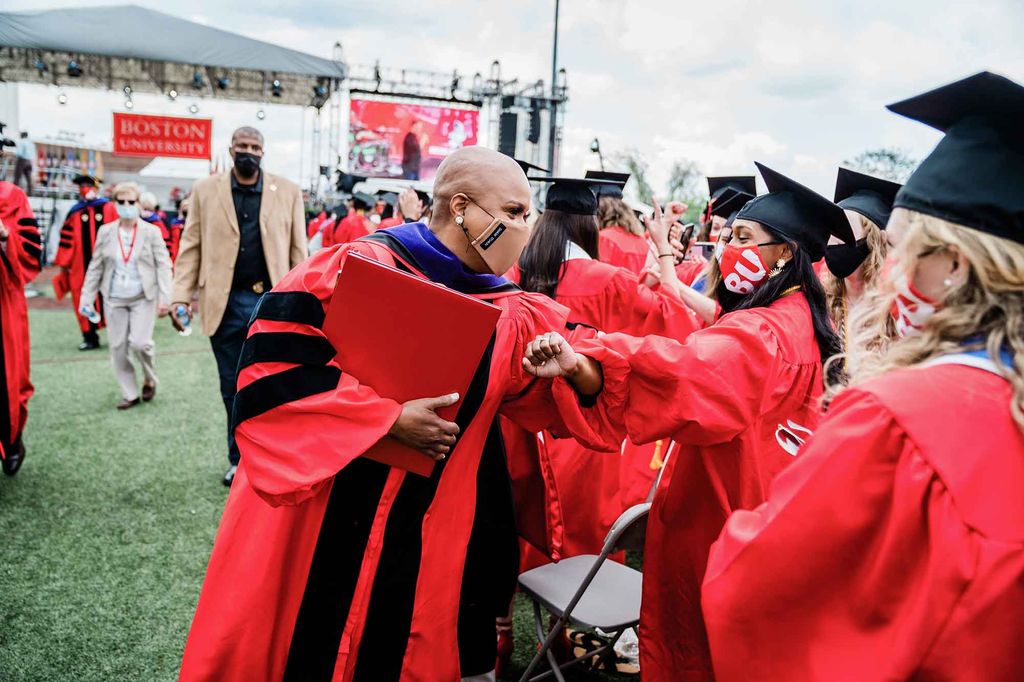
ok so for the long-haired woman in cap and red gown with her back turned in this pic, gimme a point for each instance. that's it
(561, 262)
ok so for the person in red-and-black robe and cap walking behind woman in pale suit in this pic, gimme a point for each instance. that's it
(77, 238)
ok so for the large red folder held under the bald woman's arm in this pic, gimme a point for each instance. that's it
(407, 338)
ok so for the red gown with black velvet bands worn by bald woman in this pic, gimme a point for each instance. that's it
(330, 567)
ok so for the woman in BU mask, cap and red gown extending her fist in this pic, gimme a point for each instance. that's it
(739, 398)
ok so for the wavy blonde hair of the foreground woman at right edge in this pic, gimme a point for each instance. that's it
(987, 312)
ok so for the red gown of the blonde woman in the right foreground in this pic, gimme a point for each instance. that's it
(893, 550)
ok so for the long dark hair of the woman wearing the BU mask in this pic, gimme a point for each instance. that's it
(798, 273)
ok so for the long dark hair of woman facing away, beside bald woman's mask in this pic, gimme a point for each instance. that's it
(541, 265)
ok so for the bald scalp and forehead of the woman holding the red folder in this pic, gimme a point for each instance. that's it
(485, 176)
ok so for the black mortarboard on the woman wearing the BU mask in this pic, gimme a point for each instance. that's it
(797, 214)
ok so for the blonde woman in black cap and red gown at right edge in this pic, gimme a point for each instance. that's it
(894, 548)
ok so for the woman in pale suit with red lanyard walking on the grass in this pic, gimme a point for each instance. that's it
(132, 270)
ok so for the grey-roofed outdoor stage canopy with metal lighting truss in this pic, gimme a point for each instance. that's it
(73, 48)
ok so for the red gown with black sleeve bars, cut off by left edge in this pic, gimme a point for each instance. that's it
(20, 264)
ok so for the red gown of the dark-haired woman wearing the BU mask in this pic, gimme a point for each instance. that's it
(739, 398)
